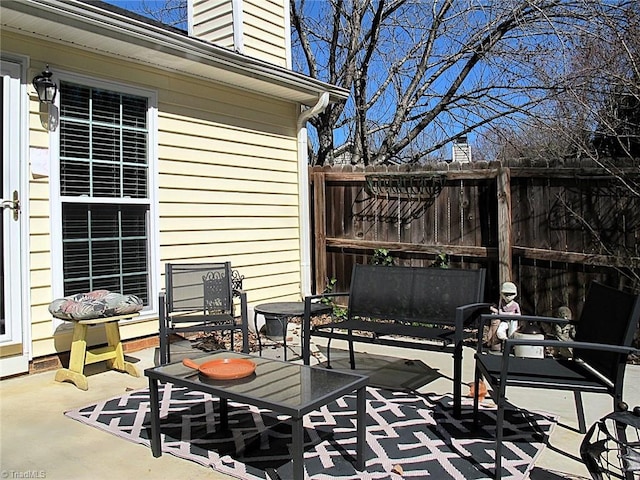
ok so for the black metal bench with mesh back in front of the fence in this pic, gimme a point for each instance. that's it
(412, 307)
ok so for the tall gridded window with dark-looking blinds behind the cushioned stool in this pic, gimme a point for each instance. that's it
(104, 190)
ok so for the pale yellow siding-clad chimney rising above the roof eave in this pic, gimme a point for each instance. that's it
(258, 29)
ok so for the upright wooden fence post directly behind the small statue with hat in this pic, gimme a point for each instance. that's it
(505, 239)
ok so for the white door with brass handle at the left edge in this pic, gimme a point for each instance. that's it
(14, 351)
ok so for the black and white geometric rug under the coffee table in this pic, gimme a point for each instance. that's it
(408, 436)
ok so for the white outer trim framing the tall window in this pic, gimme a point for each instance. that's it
(57, 280)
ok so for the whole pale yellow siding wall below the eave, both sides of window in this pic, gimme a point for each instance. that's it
(227, 184)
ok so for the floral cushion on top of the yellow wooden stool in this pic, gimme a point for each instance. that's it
(96, 304)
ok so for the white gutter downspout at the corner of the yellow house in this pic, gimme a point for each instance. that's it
(303, 181)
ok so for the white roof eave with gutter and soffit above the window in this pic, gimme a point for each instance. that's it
(112, 31)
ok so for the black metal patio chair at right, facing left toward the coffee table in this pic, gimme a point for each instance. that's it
(604, 335)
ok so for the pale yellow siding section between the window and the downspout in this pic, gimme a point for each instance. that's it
(228, 184)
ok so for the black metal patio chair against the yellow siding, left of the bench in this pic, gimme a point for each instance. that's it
(200, 298)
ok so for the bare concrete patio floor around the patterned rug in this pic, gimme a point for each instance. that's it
(38, 441)
